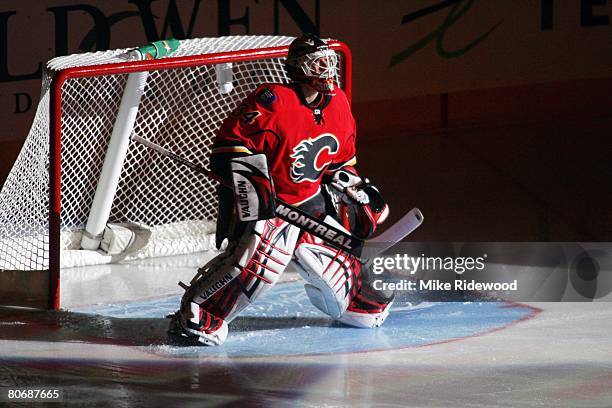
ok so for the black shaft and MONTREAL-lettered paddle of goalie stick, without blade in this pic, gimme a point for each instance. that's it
(331, 235)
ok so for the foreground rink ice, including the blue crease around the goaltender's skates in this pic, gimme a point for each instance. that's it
(118, 355)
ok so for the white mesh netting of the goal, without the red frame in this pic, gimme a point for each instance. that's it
(180, 110)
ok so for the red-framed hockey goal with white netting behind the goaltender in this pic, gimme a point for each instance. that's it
(46, 199)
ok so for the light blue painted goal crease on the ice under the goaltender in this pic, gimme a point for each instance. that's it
(283, 322)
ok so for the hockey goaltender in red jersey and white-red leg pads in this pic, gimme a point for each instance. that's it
(295, 141)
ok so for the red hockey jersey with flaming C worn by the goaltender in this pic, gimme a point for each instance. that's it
(300, 142)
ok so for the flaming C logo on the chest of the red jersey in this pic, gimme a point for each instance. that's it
(311, 156)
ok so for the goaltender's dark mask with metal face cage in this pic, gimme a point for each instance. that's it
(311, 61)
